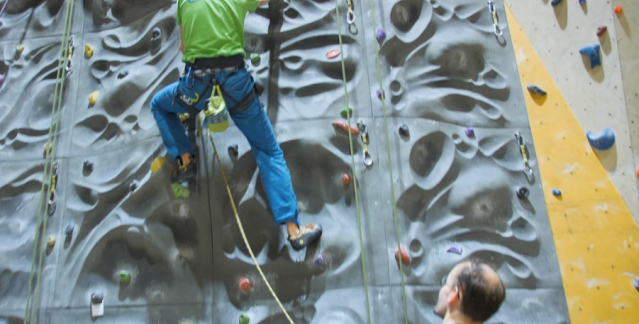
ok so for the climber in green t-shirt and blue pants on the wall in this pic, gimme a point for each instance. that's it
(212, 44)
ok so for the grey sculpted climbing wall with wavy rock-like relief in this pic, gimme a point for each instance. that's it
(443, 70)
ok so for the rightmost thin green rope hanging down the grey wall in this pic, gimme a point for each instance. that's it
(390, 163)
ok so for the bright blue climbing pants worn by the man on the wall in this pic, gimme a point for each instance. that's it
(253, 123)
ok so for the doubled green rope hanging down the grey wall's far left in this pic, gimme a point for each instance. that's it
(50, 150)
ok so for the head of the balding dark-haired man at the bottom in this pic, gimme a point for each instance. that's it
(471, 293)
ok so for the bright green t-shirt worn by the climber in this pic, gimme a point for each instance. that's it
(213, 28)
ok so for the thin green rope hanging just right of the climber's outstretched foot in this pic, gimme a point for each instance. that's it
(350, 138)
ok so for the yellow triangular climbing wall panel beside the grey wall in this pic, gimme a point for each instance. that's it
(596, 238)
